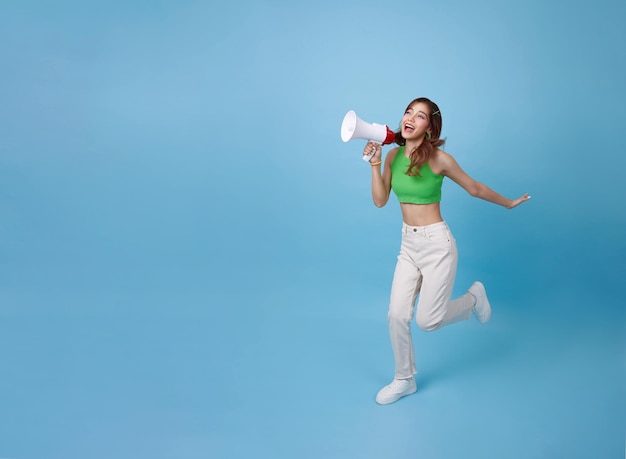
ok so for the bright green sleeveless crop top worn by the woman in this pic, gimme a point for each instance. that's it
(422, 189)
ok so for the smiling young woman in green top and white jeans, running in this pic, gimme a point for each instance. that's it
(428, 255)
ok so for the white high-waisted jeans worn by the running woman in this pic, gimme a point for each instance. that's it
(426, 265)
